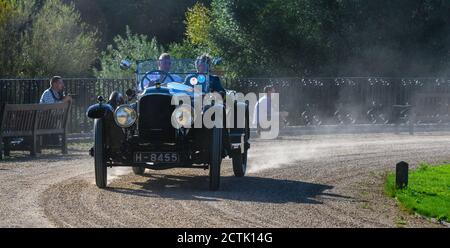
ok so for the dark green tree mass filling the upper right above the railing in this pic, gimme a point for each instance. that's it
(335, 38)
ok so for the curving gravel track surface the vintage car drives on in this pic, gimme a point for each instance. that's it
(307, 181)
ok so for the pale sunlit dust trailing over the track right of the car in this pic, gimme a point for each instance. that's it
(289, 151)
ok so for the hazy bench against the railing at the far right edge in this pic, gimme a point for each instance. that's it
(425, 108)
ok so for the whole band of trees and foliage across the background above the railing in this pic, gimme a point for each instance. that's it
(254, 38)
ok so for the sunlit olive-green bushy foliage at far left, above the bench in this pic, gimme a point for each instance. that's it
(44, 38)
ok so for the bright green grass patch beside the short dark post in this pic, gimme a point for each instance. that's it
(428, 192)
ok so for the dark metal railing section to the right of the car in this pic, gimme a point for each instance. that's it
(342, 101)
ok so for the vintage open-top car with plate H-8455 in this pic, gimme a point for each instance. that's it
(151, 128)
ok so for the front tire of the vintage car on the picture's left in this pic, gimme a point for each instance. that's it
(99, 156)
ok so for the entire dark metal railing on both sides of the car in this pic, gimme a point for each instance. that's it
(309, 101)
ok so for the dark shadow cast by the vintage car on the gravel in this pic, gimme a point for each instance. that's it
(248, 189)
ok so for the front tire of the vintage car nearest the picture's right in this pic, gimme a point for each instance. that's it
(215, 158)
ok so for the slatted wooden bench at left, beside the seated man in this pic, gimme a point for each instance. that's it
(32, 121)
